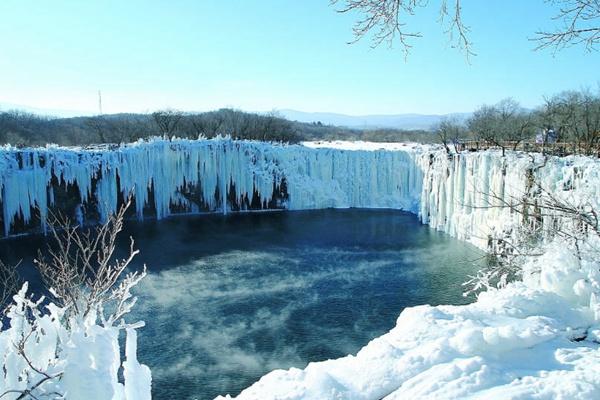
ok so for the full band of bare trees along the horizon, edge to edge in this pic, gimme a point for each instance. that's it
(573, 118)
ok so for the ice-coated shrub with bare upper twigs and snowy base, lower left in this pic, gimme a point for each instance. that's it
(68, 347)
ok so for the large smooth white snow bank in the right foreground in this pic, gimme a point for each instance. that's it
(524, 341)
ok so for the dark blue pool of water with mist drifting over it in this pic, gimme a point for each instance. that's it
(230, 298)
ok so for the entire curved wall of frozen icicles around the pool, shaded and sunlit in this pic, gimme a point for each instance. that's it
(468, 195)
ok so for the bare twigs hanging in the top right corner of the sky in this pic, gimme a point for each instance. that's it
(579, 25)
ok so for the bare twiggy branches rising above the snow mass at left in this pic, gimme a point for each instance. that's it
(82, 273)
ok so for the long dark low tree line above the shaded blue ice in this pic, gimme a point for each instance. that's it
(26, 129)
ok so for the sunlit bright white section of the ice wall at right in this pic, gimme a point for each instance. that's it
(475, 196)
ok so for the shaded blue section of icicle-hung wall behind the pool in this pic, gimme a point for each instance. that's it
(221, 170)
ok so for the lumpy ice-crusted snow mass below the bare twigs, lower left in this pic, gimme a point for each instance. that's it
(39, 353)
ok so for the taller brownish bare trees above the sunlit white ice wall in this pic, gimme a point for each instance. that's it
(570, 117)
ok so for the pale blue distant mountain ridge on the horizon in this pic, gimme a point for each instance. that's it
(398, 121)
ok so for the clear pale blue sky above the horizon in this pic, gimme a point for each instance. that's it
(261, 55)
